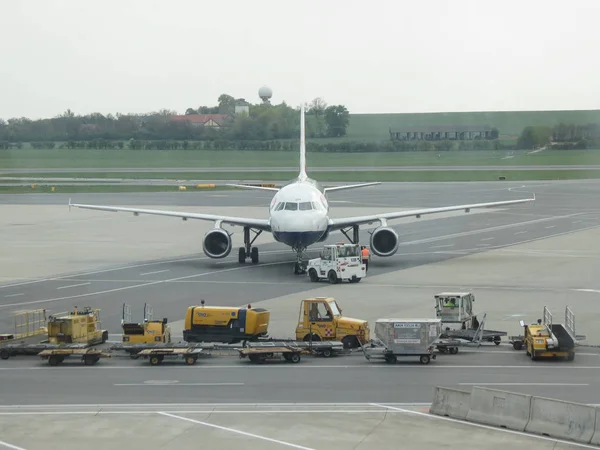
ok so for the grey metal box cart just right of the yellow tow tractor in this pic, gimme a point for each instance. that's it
(404, 337)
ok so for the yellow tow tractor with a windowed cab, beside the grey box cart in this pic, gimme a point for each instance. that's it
(321, 320)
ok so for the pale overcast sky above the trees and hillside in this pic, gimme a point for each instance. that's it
(374, 57)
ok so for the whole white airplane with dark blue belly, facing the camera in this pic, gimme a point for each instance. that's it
(299, 217)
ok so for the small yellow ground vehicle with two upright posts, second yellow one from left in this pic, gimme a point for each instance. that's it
(149, 332)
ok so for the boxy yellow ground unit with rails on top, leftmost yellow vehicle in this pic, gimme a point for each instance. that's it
(76, 327)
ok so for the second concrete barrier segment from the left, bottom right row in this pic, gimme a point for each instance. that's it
(499, 408)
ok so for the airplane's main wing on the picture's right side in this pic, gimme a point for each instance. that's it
(337, 224)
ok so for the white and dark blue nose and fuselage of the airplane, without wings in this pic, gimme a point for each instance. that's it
(299, 214)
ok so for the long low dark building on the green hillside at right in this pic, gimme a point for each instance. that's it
(441, 132)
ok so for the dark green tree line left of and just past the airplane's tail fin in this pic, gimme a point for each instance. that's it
(264, 122)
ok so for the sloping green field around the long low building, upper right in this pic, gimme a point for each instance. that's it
(374, 127)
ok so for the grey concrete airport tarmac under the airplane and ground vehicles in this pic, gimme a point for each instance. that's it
(515, 260)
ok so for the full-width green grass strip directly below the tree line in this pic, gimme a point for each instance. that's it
(100, 159)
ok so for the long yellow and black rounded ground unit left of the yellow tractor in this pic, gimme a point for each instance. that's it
(225, 324)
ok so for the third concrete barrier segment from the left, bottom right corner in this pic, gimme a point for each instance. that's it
(564, 420)
